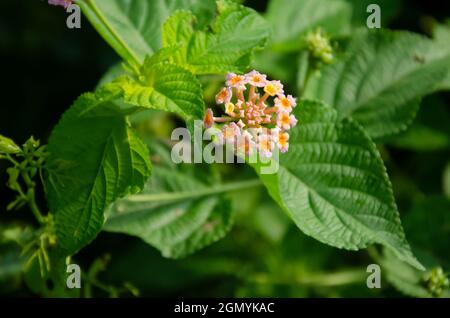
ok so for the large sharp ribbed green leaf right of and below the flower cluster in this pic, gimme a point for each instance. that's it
(333, 184)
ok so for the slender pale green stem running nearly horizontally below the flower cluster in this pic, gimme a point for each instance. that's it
(168, 196)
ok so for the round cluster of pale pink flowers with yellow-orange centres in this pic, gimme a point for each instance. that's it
(258, 114)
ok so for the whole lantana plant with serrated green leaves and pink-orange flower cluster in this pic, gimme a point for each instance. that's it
(101, 172)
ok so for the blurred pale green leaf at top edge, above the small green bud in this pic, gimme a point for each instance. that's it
(291, 20)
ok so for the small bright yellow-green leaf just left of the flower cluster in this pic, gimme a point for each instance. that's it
(165, 87)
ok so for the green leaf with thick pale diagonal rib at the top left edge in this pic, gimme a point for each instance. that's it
(133, 27)
